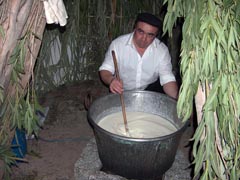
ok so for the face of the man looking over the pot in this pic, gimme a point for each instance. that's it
(144, 34)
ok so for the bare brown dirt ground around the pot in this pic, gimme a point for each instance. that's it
(64, 134)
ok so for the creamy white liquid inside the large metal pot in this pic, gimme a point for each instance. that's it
(140, 125)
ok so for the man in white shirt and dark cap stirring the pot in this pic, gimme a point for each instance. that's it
(142, 59)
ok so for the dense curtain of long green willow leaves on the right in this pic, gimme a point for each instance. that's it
(210, 69)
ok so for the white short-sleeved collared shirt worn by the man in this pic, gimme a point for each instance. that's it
(135, 71)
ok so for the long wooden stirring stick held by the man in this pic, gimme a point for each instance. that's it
(121, 95)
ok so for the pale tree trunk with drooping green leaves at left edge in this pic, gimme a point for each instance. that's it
(21, 28)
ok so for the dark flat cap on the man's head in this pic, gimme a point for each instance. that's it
(149, 19)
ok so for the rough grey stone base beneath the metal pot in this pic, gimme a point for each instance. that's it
(88, 167)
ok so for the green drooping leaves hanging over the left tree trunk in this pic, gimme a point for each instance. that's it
(18, 110)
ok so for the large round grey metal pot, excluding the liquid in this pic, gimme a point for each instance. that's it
(135, 158)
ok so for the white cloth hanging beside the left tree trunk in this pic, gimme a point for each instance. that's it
(55, 12)
